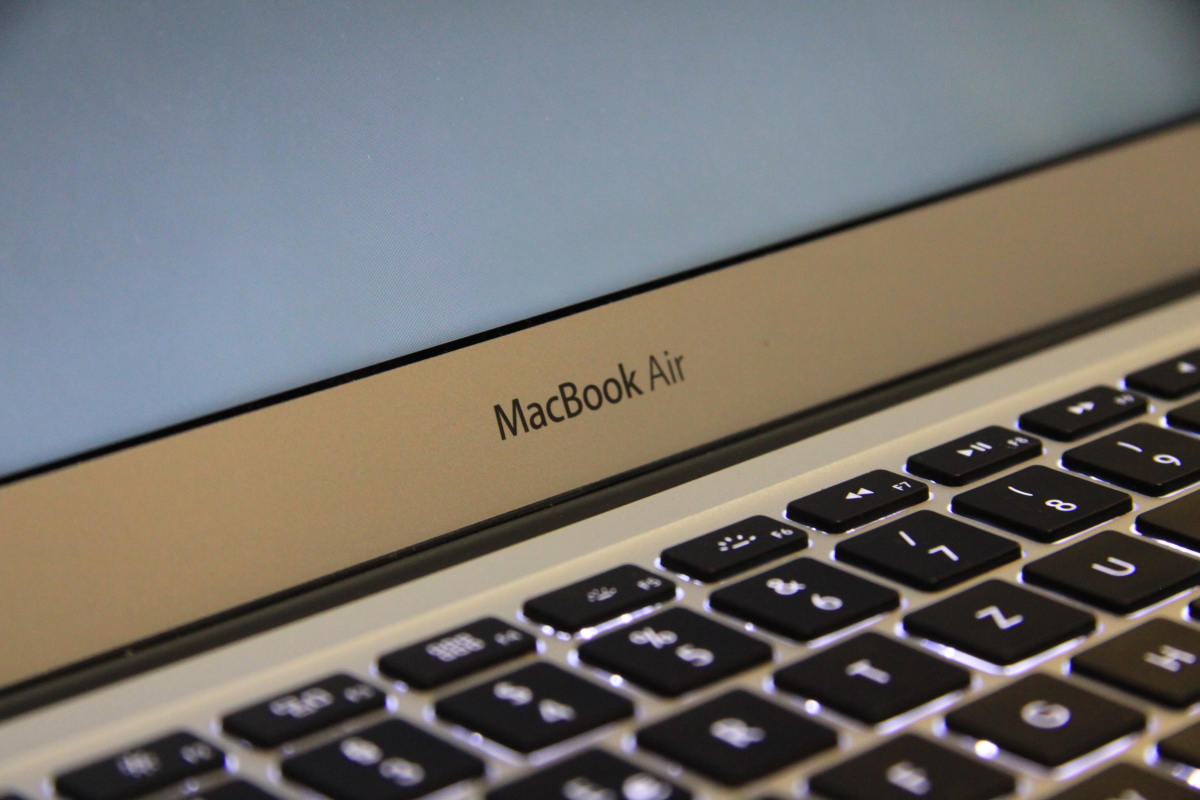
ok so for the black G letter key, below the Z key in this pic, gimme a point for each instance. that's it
(1046, 720)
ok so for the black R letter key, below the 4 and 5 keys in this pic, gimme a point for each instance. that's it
(737, 738)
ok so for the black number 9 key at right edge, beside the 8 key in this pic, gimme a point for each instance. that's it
(1143, 458)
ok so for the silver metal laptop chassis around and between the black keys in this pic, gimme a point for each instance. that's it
(195, 694)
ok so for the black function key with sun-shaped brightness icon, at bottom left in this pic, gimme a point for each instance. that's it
(142, 769)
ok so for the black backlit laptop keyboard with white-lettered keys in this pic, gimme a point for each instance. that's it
(493, 696)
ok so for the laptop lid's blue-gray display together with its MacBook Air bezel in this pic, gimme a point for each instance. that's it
(213, 204)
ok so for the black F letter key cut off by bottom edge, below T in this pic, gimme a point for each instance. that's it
(911, 767)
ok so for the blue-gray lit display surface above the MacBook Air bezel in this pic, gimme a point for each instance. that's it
(211, 203)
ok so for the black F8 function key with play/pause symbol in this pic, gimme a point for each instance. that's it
(973, 458)
